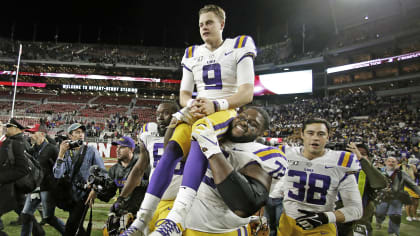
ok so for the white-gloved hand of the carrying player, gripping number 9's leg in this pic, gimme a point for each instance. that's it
(206, 138)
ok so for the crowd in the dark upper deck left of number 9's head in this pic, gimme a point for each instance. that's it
(94, 53)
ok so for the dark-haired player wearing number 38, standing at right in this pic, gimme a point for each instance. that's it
(313, 179)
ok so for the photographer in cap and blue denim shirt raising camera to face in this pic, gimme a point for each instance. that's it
(75, 159)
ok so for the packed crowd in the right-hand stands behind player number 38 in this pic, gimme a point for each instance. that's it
(390, 125)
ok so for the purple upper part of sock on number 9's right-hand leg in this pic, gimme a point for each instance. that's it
(195, 167)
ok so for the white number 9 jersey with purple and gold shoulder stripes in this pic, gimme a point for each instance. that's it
(214, 72)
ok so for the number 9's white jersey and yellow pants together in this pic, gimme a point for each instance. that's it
(215, 75)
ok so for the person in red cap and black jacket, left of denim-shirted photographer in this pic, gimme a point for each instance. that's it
(46, 153)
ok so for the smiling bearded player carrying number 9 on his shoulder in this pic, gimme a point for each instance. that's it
(237, 182)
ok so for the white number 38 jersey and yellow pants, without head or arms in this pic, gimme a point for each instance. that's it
(313, 185)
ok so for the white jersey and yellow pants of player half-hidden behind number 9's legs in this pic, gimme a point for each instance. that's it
(154, 145)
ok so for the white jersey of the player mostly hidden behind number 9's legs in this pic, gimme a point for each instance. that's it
(154, 146)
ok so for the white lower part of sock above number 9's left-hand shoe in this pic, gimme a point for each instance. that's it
(146, 211)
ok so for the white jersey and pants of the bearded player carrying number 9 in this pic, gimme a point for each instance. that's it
(209, 213)
